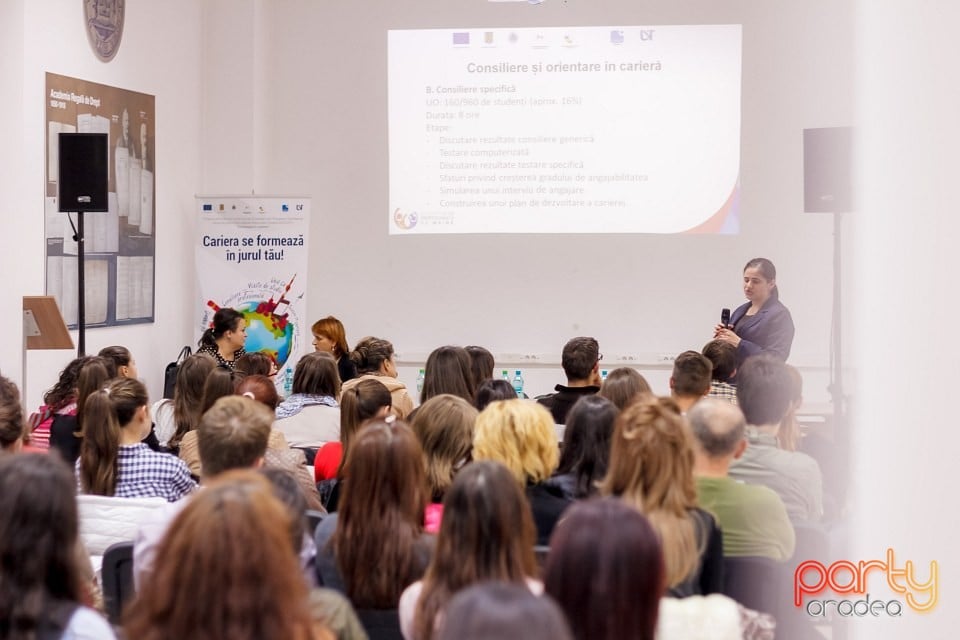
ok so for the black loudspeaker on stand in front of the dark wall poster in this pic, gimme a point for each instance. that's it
(83, 172)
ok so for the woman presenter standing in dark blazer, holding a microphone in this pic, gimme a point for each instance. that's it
(763, 324)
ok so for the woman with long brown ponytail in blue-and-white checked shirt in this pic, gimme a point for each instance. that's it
(113, 459)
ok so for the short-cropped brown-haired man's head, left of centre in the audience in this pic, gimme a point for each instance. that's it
(233, 434)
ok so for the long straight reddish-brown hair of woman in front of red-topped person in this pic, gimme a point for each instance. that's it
(381, 515)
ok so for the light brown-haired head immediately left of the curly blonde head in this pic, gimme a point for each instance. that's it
(444, 426)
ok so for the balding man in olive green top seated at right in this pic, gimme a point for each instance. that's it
(752, 517)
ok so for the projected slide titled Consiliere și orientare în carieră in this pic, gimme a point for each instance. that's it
(565, 130)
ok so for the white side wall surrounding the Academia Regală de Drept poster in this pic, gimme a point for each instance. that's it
(160, 54)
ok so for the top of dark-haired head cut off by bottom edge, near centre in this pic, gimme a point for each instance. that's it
(497, 610)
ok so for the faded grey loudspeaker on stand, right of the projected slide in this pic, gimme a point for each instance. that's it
(827, 170)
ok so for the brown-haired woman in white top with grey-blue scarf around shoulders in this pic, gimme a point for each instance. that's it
(310, 417)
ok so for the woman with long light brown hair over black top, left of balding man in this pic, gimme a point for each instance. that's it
(651, 468)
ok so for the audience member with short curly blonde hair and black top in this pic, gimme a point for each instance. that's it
(520, 435)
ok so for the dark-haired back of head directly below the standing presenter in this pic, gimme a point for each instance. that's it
(764, 390)
